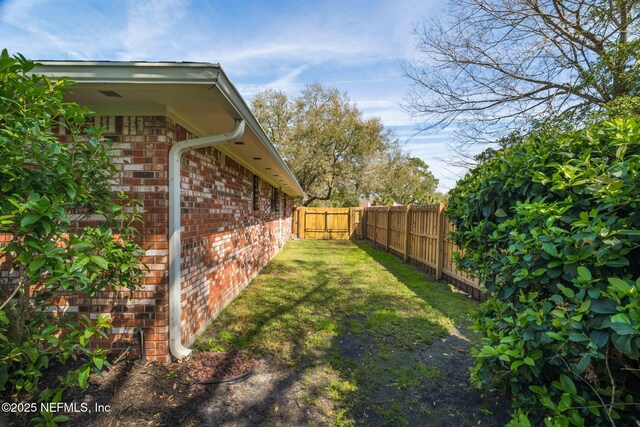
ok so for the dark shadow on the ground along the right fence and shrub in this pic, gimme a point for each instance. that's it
(413, 369)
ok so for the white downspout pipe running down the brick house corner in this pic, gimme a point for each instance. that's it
(178, 350)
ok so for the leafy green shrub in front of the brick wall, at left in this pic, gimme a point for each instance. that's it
(47, 189)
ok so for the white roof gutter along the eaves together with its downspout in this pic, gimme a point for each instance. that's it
(174, 73)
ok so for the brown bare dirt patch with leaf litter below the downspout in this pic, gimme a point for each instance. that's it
(132, 393)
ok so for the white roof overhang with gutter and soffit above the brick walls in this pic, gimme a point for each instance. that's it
(198, 96)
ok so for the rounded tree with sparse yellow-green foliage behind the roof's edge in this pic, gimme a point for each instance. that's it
(324, 139)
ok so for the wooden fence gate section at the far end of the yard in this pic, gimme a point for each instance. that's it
(327, 223)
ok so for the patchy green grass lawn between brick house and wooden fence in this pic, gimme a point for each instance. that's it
(353, 319)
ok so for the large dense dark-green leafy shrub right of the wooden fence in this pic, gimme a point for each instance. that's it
(552, 228)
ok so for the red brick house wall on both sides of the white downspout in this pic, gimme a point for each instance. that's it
(225, 242)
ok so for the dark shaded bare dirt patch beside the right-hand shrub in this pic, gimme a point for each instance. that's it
(443, 399)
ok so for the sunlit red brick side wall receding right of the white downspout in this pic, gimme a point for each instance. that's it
(225, 242)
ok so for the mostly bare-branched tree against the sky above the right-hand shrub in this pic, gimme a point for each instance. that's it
(494, 65)
